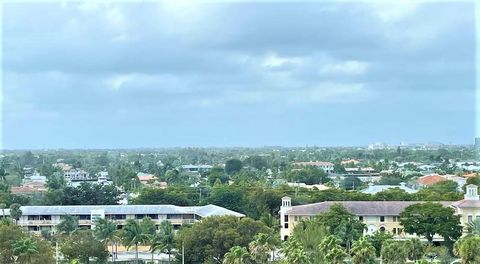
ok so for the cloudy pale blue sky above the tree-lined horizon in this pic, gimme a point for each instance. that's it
(226, 73)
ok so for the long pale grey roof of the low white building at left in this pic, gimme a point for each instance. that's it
(203, 211)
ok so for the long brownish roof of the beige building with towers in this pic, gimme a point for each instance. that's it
(371, 208)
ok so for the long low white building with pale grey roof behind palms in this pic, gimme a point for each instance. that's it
(38, 218)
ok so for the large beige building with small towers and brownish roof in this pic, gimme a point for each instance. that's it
(376, 215)
